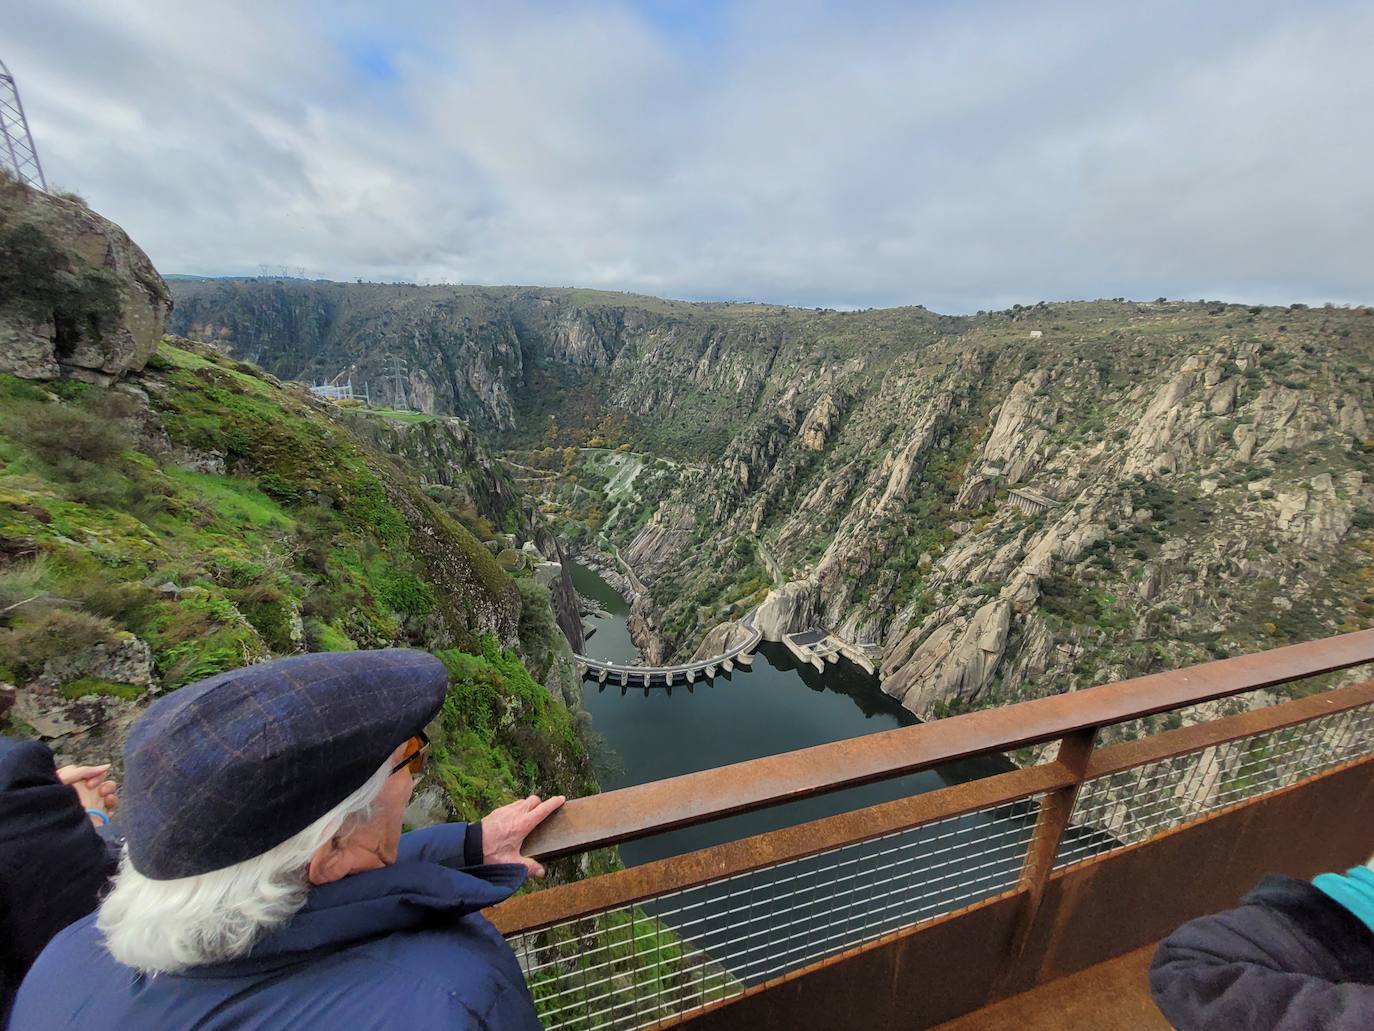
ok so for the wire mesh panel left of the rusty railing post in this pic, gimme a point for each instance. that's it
(635, 966)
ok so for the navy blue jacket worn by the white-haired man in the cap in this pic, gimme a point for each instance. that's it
(399, 948)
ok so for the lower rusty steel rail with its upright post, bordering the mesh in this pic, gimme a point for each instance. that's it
(1066, 775)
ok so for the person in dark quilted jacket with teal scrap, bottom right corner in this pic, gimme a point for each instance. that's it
(1294, 957)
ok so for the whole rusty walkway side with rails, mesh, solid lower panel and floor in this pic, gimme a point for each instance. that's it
(947, 905)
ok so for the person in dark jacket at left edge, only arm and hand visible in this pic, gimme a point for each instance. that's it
(54, 861)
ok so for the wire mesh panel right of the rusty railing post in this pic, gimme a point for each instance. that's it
(1134, 805)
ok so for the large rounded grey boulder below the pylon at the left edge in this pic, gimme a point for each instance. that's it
(78, 296)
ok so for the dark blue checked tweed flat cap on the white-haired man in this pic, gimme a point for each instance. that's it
(226, 769)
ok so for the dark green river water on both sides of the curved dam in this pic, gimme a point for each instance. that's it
(774, 707)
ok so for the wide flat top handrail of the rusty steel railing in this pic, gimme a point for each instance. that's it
(649, 809)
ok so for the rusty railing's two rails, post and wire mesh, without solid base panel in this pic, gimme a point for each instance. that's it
(656, 942)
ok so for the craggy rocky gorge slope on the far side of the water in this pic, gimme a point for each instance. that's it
(1005, 505)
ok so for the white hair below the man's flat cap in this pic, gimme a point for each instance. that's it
(166, 927)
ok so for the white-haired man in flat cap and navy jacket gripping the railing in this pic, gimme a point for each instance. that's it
(266, 879)
